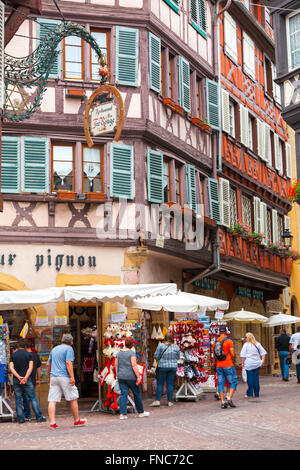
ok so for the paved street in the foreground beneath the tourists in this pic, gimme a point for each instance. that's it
(271, 422)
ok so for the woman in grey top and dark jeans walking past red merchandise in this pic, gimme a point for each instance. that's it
(129, 378)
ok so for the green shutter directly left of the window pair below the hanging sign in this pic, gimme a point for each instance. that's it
(35, 165)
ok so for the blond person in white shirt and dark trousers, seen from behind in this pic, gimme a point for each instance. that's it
(253, 357)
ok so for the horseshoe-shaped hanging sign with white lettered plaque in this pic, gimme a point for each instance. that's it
(104, 114)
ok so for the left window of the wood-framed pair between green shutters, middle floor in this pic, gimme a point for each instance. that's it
(63, 167)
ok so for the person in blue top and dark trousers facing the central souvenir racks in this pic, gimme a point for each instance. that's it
(167, 355)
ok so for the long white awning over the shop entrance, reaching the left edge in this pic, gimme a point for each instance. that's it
(11, 300)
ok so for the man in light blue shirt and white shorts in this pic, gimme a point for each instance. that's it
(61, 380)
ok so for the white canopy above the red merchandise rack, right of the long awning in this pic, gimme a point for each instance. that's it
(180, 302)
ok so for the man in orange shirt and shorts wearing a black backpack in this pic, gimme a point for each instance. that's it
(225, 356)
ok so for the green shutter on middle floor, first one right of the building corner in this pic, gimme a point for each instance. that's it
(155, 176)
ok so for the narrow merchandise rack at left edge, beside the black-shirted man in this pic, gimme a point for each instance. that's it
(5, 409)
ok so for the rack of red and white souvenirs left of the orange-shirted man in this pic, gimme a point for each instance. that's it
(189, 336)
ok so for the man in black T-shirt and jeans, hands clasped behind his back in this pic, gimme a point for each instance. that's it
(21, 365)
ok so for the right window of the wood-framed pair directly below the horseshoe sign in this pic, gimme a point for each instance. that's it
(92, 170)
